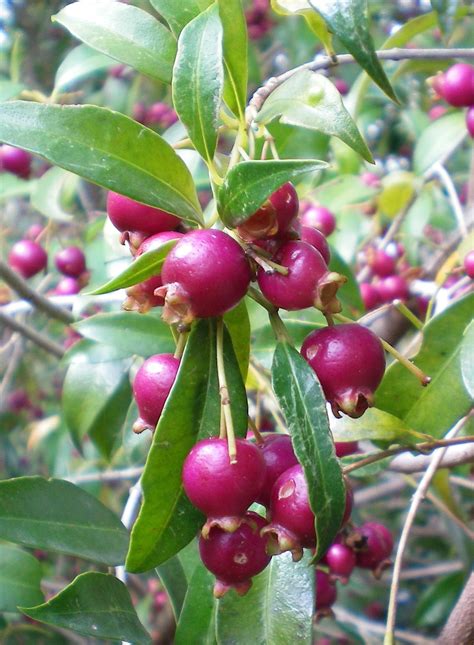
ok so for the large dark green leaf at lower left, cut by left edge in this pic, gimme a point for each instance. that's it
(55, 515)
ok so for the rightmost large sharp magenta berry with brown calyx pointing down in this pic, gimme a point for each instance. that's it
(349, 362)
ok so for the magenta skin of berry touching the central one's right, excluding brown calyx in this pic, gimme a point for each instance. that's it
(297, 290)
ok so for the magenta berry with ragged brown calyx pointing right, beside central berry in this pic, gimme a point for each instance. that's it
(308, 282)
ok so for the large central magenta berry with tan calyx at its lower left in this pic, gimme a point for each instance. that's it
(204, 275)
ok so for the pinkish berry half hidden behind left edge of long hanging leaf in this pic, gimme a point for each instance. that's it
(151, 388)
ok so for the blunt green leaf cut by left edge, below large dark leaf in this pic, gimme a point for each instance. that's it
(20, 578)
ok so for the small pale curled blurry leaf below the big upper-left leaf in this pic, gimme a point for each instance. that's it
(46, 194)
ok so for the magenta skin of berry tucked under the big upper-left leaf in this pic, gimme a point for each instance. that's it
(129, 215)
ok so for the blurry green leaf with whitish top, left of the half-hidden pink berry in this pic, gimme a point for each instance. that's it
(95, 402)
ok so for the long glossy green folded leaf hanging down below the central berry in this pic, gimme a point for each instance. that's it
(167, 520)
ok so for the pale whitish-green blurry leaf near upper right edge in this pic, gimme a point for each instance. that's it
(439, 140)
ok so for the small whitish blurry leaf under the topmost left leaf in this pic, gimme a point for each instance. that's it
(80, 64)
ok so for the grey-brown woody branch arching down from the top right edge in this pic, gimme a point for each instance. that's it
(327, 62)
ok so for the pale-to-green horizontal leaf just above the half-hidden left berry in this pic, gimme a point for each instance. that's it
(131, 332)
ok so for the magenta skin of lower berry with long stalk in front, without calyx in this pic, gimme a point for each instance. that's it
(217, 487)
